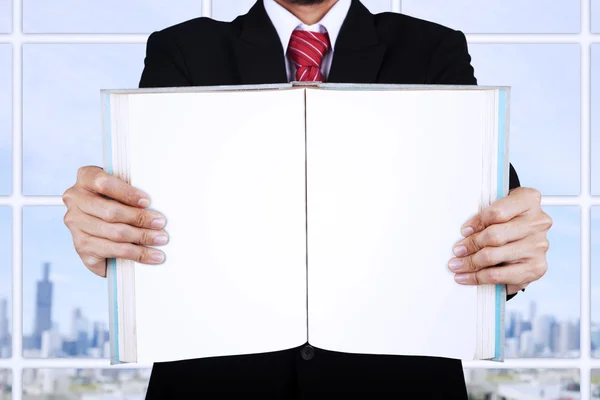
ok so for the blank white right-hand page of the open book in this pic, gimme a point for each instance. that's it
(392, 176)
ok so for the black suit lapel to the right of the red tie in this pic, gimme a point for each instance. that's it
(358, 52)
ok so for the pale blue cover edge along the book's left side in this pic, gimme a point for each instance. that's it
(111, 275)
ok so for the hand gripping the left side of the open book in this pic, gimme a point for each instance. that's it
(107, 219)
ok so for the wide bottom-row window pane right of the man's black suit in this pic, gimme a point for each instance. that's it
(522, 384)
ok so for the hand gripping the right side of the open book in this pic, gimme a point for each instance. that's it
(512, 231)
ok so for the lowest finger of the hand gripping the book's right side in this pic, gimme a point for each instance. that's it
(518, 274)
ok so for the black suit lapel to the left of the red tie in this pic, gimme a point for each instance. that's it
(258, 51)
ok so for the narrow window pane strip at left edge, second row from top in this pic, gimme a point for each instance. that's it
(5, 119)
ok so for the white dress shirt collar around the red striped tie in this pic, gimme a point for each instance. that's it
(285, 23)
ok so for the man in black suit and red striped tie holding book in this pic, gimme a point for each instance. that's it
(335, 41)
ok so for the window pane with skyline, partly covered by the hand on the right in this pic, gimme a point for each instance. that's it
(538, 322)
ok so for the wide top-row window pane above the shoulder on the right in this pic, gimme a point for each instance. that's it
(499, 16)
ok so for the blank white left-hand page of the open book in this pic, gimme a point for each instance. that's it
(228, 171)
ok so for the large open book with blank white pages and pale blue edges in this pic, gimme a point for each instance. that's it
(297, 213)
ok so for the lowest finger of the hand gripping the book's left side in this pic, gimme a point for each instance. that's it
(91, 247)
